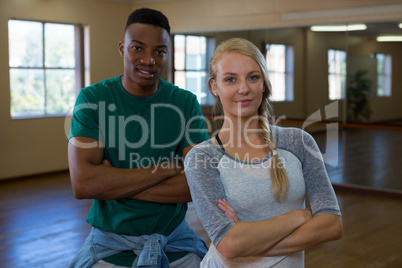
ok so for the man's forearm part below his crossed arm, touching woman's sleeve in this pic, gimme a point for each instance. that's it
(171, 190)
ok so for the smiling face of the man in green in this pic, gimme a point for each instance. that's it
(144, 51)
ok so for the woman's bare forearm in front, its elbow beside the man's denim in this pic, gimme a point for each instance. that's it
(254, 238)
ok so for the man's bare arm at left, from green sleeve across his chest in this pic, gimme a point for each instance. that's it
(92, 177)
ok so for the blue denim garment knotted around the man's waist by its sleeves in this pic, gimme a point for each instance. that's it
(150, 249)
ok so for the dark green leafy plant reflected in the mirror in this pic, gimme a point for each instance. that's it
(357, 96)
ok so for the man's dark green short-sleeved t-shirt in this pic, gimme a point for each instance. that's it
(138, 132)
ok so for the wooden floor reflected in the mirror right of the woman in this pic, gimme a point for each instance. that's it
(365, 157)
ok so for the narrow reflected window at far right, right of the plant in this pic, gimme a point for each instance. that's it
(384, 74)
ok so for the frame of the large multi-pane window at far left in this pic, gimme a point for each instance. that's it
(79, 67)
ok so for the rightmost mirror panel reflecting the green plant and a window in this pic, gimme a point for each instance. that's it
(373, 108)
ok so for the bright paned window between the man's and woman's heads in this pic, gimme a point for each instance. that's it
(191, 57)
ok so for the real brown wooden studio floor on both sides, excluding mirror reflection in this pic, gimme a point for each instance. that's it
(42, 225)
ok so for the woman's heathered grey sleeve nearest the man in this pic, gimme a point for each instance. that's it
(206, 189)
